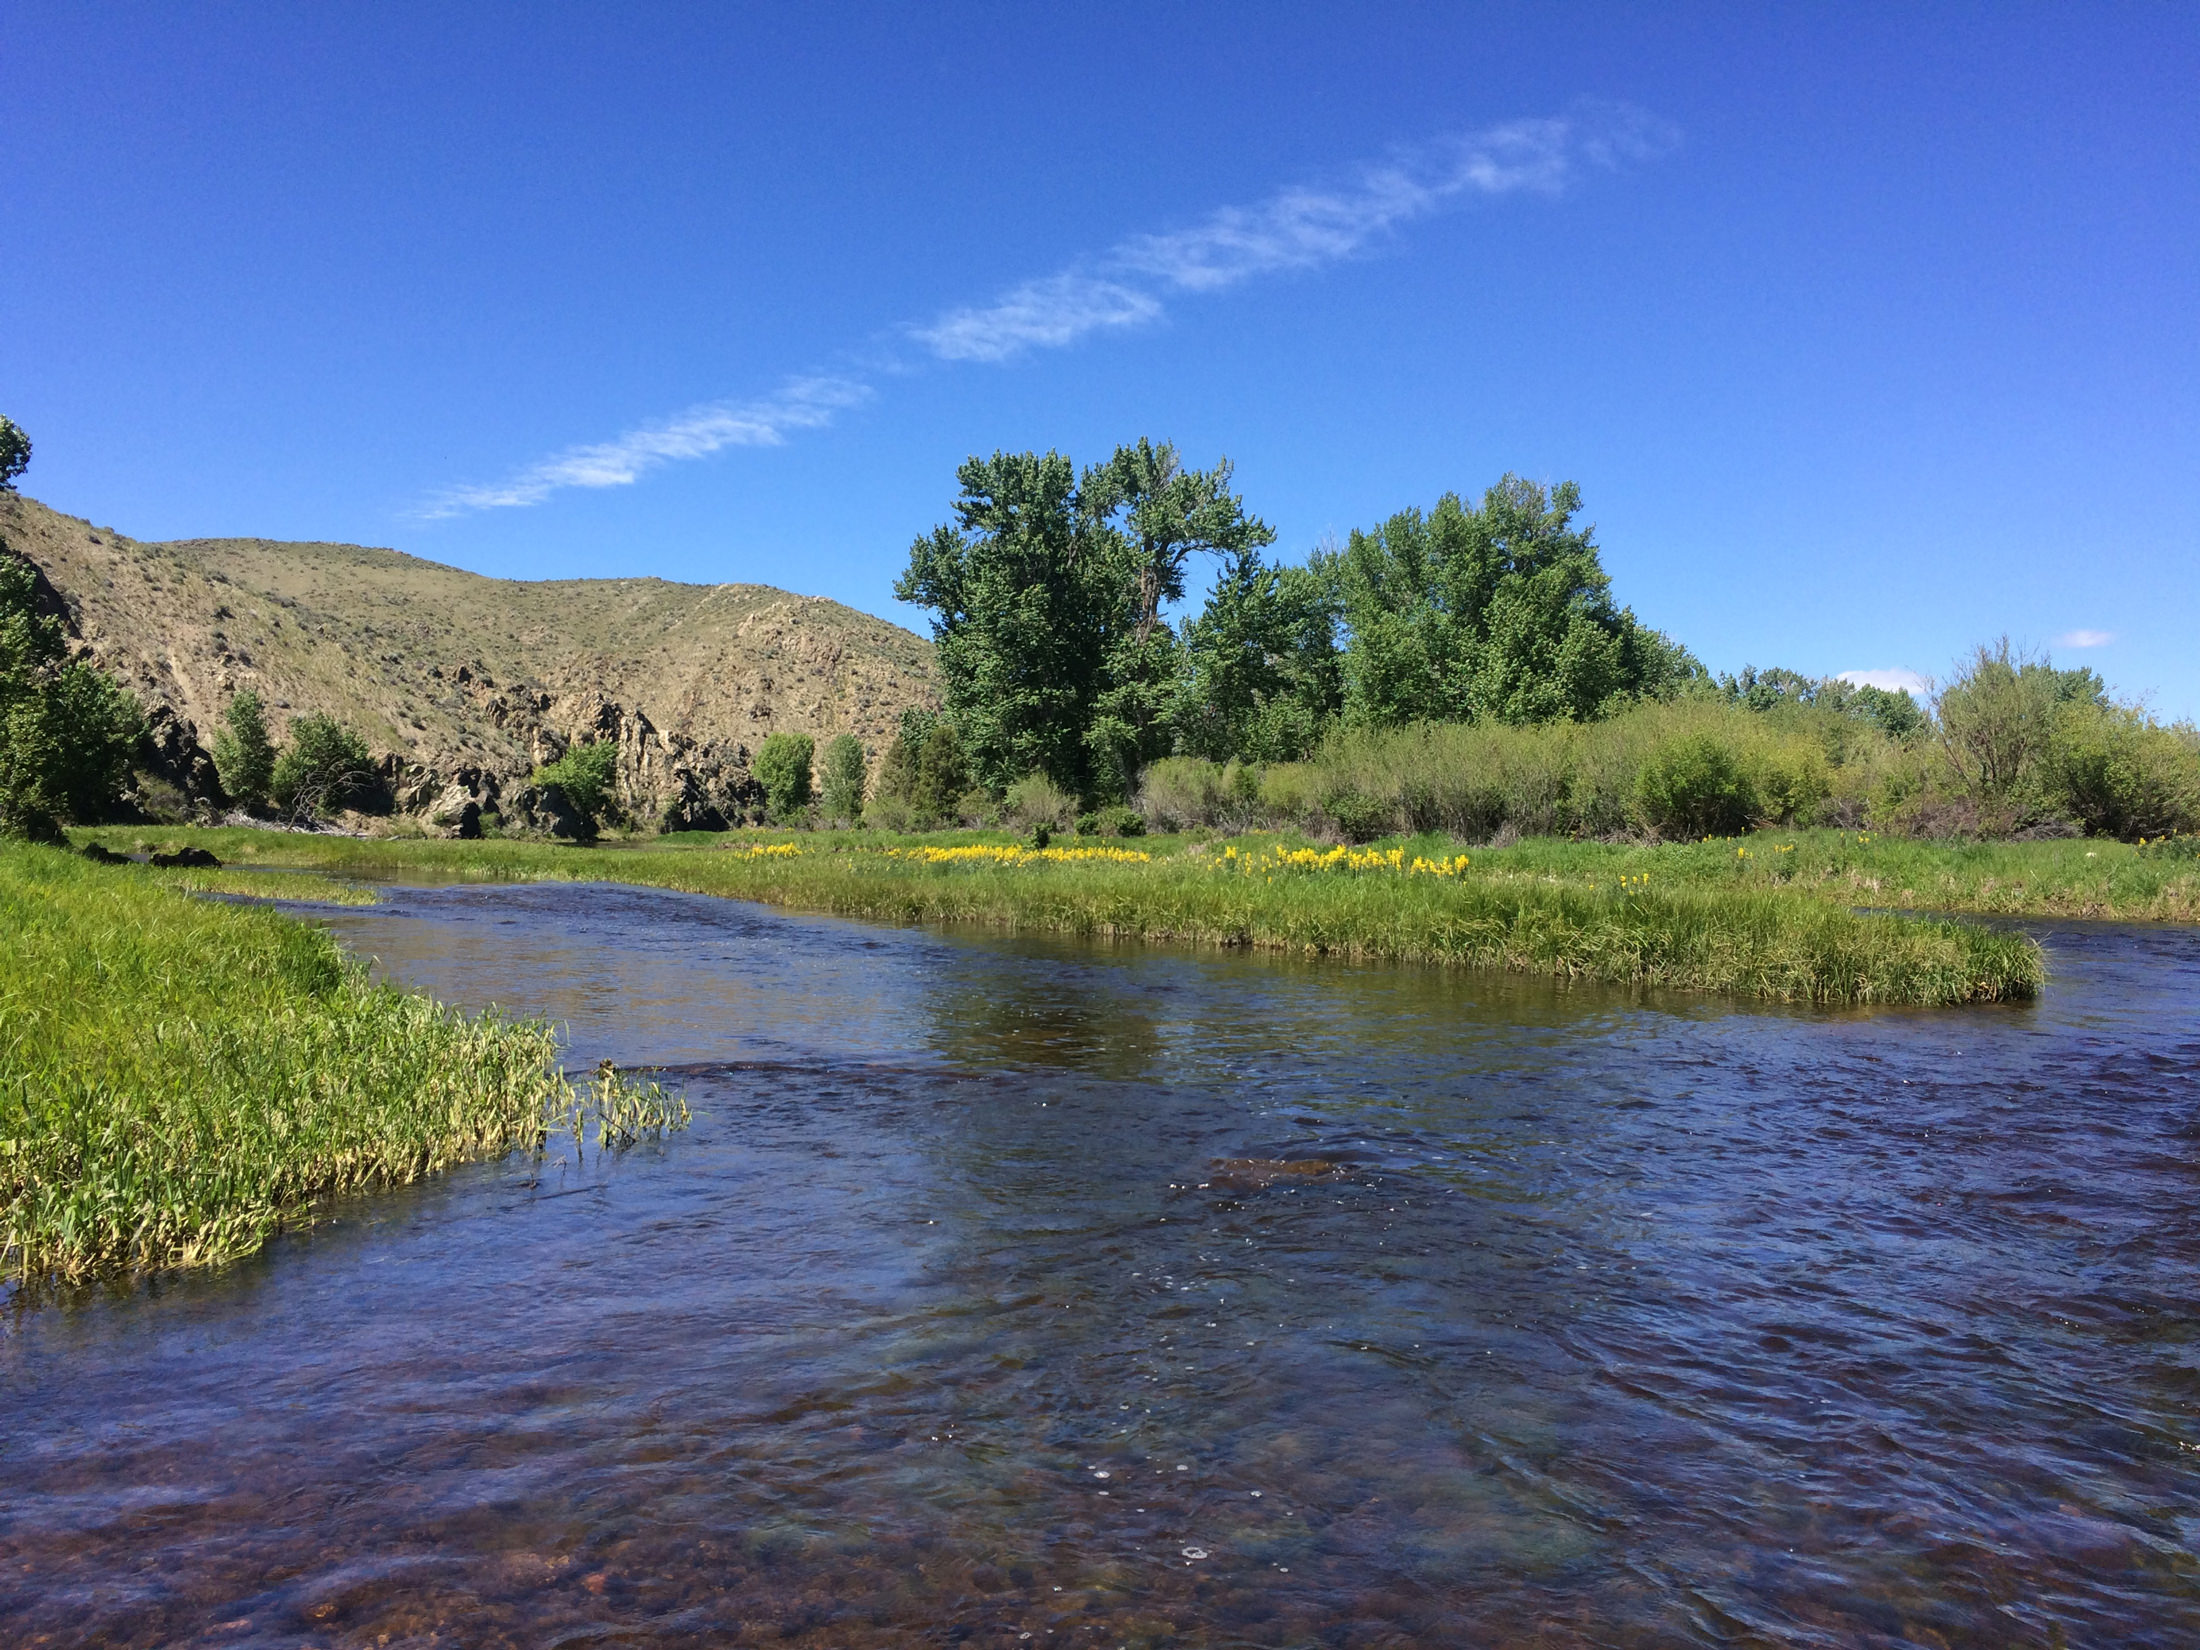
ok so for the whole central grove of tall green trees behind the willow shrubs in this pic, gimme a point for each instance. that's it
(1048, 599)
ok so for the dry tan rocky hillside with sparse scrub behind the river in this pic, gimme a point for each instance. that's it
(461, 683)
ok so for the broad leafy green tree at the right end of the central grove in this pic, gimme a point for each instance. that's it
(1495, 613)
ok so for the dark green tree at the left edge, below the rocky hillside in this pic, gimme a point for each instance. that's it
(67, 731)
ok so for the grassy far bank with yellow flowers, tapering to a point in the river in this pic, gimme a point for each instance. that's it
(1708, 916)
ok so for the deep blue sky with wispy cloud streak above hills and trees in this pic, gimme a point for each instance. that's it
(1869, 333)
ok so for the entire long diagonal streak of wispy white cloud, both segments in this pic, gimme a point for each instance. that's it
(1127, 285)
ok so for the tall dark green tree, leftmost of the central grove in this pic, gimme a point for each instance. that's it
(1031, 595)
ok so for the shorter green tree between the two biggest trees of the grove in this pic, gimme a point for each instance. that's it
(1262, 674)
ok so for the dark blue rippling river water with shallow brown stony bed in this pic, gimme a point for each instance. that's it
(978, 1308)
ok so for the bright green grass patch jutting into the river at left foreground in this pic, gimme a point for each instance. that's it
(181, 1079)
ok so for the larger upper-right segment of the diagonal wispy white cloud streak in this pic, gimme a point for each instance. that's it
(1299, 228)
